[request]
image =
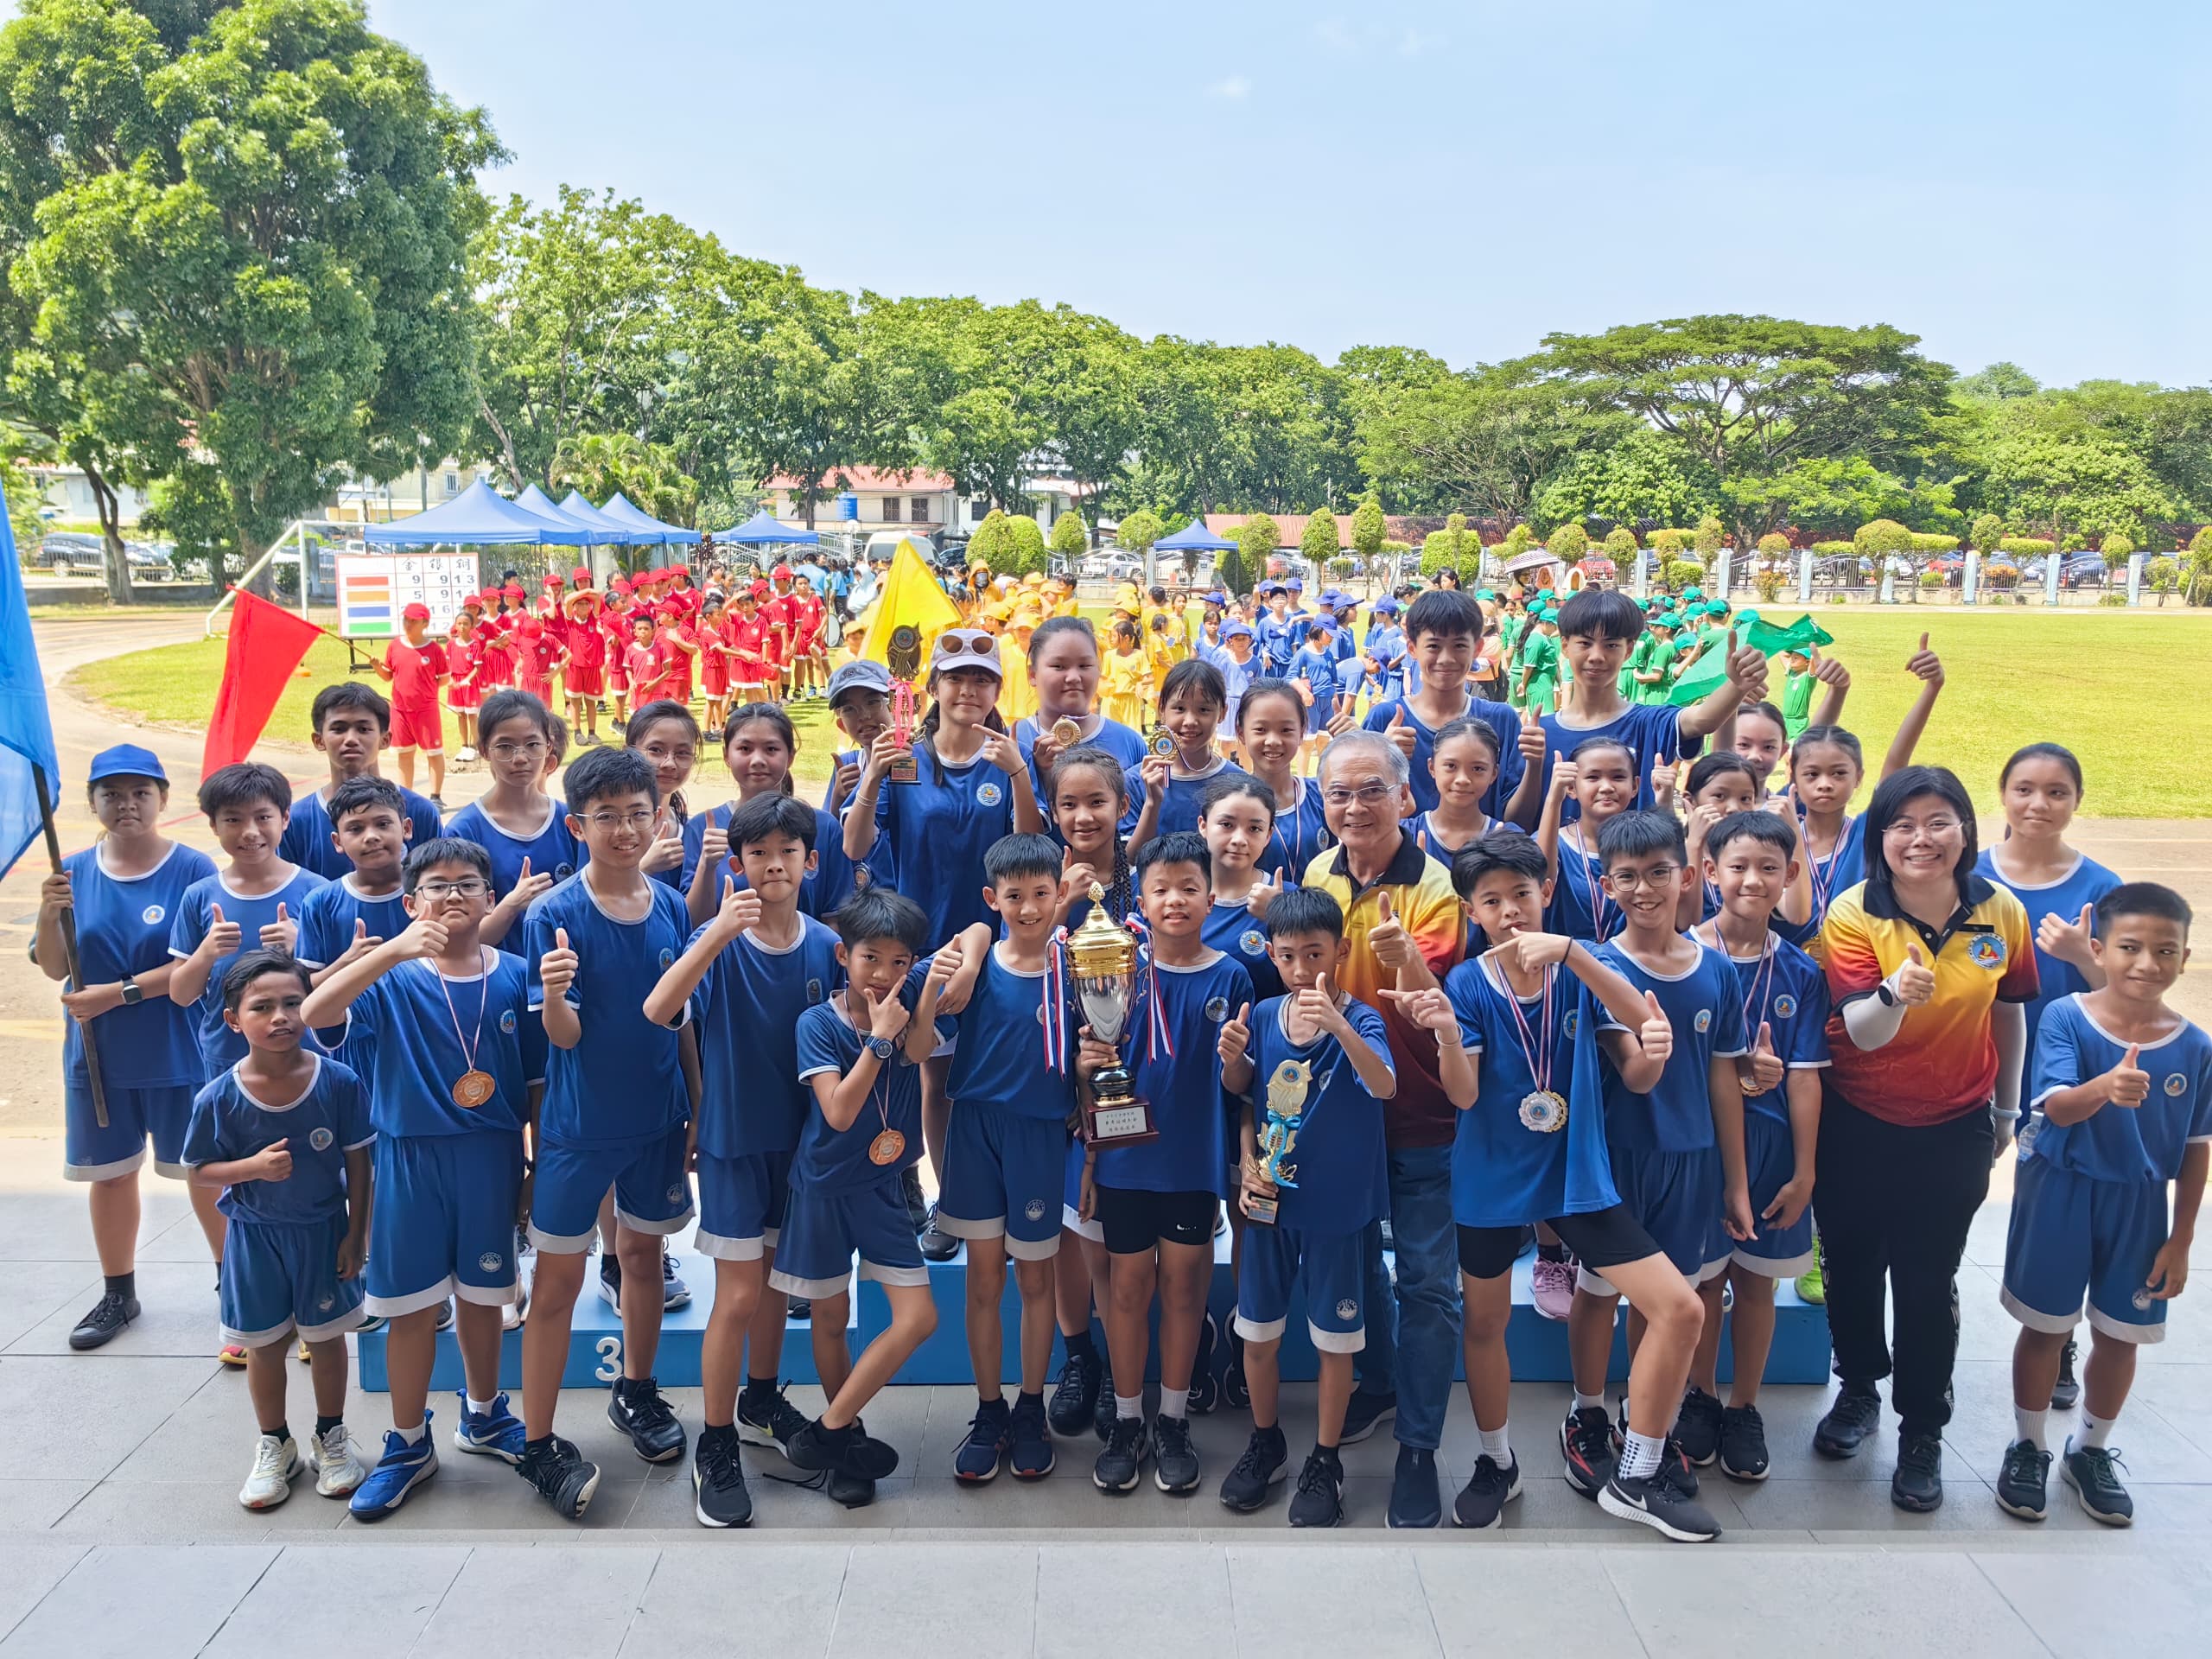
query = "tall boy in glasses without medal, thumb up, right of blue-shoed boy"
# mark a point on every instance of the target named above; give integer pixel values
(616, 1114)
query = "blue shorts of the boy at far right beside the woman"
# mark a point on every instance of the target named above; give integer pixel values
(2074, 1238)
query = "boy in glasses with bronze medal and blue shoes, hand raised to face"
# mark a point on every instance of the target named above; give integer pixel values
(439, 1025)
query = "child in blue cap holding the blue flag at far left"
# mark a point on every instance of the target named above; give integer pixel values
(125, 897)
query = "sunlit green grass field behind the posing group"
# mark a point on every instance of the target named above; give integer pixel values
(2131, 693)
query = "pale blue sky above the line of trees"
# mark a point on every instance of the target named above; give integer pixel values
(2016, 180)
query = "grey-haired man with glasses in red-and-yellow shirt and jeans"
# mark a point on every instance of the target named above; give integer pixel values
(1406, 930)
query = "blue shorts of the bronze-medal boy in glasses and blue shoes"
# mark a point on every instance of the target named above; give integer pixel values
(444, 1220)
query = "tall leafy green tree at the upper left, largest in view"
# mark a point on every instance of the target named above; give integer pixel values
(240, 249)
